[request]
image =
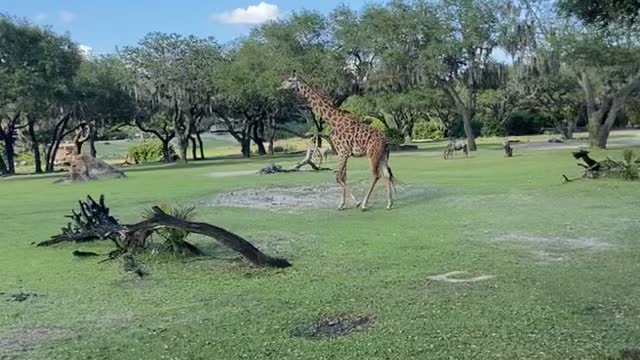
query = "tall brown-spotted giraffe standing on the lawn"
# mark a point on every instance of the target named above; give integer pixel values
(350, 137)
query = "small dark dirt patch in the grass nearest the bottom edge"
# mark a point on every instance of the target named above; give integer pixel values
(333, 327)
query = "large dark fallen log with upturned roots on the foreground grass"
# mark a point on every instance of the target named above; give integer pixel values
(94, 223)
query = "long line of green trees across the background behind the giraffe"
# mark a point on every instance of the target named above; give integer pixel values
(415, 68)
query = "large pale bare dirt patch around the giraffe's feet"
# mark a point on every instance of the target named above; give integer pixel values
(309, 196)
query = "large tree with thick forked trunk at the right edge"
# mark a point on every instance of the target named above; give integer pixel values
(602, 60)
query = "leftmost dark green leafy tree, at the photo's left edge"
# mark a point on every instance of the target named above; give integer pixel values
(36, 79)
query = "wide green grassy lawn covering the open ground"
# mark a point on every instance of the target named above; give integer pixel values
(565, 260)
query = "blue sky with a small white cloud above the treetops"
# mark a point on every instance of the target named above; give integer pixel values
(103, 25)
